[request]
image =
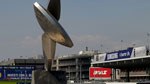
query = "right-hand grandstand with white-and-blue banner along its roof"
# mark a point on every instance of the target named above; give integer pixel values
(131, 64)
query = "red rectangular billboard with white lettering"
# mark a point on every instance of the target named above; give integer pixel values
(100, 73)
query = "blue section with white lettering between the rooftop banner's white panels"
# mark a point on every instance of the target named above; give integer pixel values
(122, 54)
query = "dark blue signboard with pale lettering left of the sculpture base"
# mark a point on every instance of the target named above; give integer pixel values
(16, 72)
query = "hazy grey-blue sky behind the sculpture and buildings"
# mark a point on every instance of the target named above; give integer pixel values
(89, 23)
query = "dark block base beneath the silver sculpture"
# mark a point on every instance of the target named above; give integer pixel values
(48, 77)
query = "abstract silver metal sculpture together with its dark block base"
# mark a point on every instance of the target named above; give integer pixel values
(53, 33)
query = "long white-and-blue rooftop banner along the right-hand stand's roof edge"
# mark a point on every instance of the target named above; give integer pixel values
(121, 54)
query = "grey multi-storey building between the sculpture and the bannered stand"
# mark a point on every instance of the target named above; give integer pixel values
(76, 65)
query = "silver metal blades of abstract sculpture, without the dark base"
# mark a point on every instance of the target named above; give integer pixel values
(53, 31)
